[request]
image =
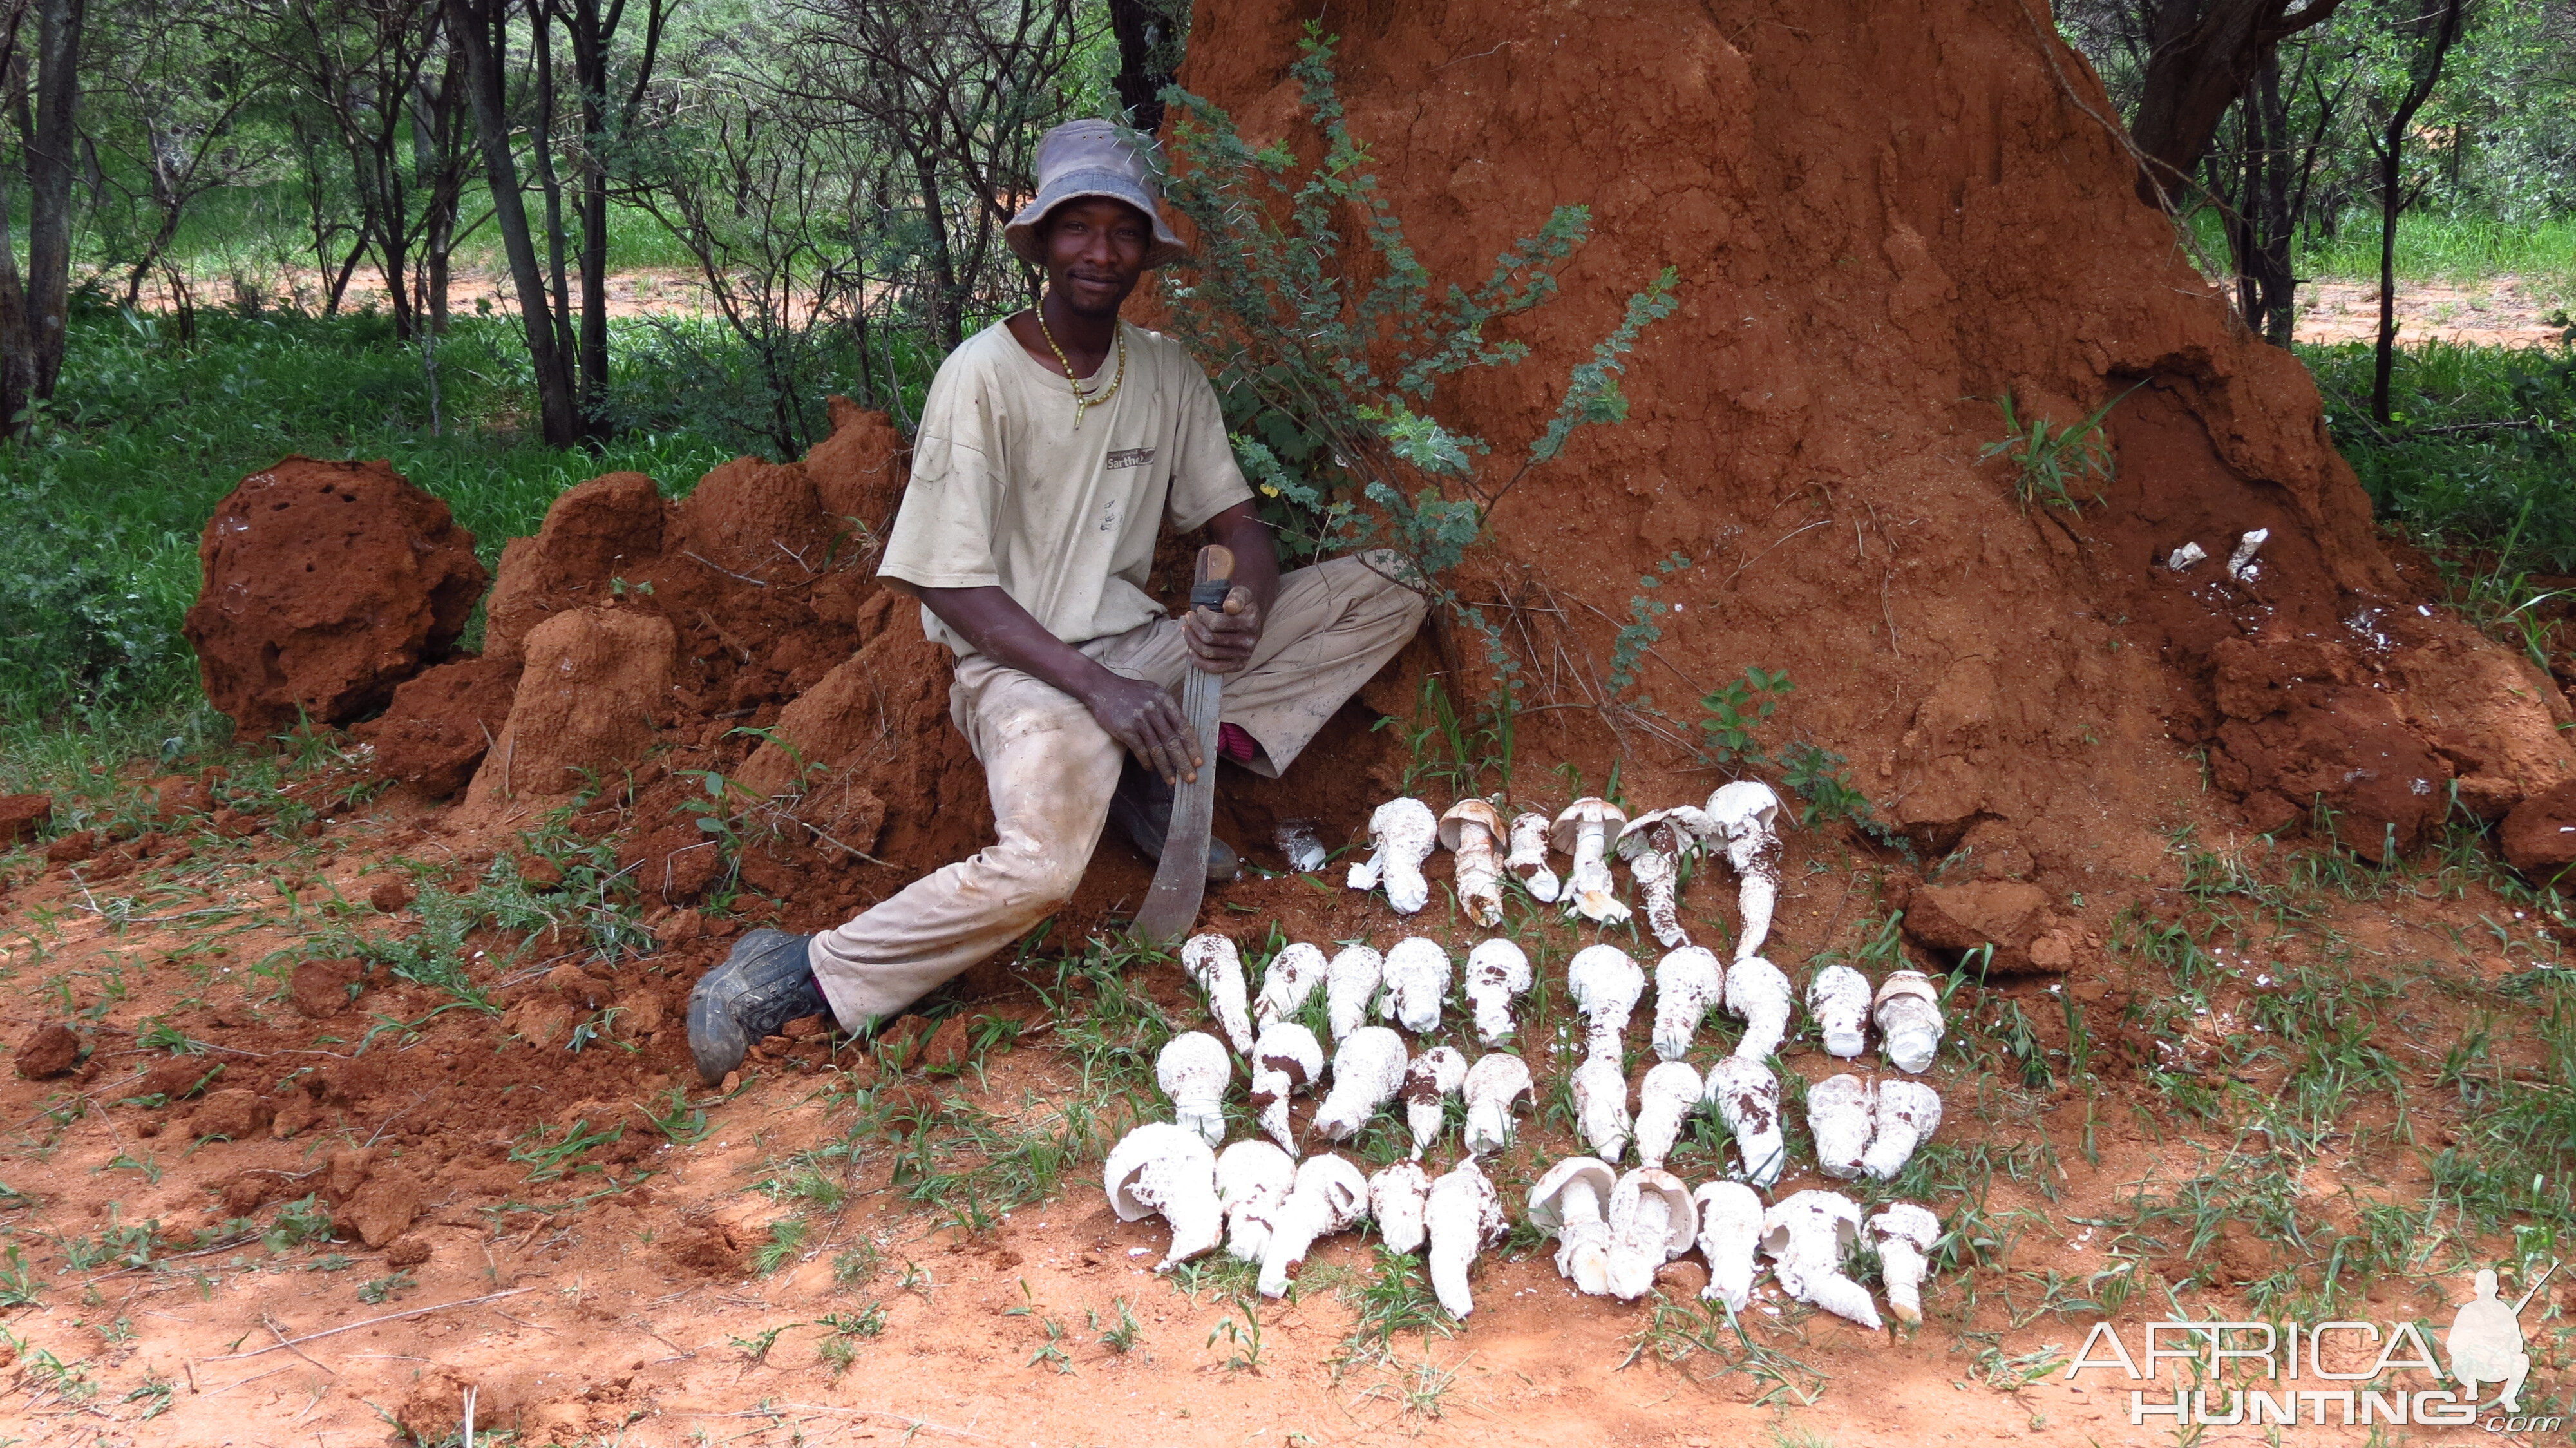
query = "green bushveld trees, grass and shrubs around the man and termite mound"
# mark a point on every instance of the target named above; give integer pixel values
(516, 243)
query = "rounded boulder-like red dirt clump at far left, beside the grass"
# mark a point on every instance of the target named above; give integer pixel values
(323, 589)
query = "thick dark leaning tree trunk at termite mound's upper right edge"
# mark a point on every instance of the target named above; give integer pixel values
(2201, 58)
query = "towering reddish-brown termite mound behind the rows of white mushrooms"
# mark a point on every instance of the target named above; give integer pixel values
(1887, 218)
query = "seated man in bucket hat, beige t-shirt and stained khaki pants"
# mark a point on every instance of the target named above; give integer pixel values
(1052, 450)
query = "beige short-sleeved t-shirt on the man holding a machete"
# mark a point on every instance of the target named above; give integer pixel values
(1006, 491)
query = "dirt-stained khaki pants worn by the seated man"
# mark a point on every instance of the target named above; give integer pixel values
(1052, 772)
